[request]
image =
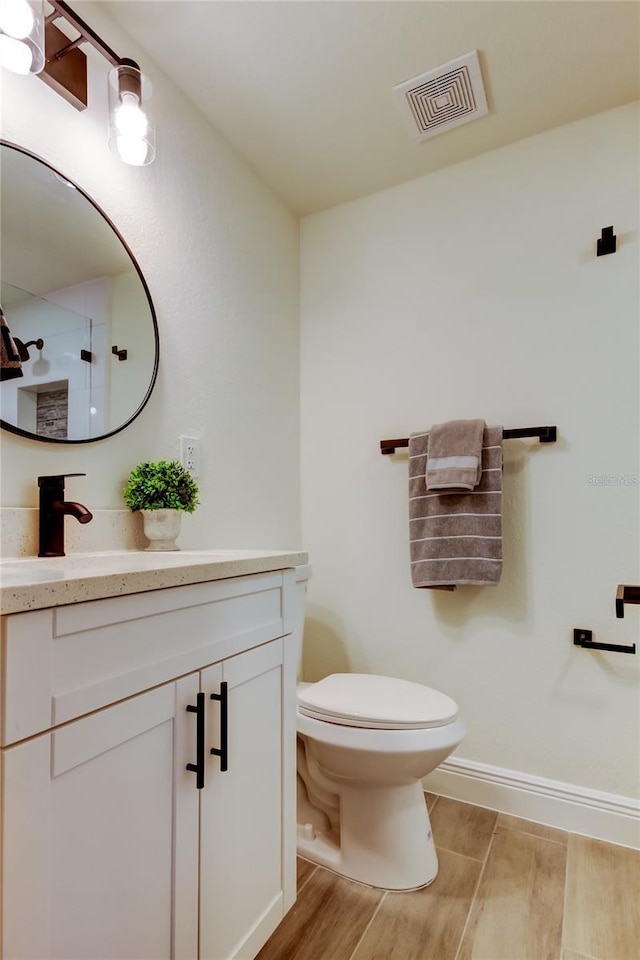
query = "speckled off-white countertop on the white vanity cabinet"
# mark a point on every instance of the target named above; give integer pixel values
(33, 583)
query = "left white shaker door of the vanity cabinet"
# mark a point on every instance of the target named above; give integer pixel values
(100, 834)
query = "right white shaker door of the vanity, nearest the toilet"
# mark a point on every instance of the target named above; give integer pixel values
(241, 813)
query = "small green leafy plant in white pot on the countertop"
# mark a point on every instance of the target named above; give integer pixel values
(161, 491)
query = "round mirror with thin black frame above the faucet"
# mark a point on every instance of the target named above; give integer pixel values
(80, 340)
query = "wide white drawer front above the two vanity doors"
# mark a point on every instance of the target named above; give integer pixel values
(64, 662)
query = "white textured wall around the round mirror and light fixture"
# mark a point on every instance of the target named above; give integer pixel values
(220, 255)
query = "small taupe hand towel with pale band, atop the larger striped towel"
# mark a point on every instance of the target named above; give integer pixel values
(455, 455)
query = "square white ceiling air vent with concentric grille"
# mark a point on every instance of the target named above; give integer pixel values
(443, 98)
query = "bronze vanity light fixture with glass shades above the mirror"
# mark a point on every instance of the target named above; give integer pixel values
(58, 61)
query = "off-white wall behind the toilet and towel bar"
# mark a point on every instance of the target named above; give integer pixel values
(475, 292)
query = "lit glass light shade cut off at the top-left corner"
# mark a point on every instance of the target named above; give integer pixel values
(22, 35)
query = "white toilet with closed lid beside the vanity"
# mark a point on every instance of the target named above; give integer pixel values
(364, 744)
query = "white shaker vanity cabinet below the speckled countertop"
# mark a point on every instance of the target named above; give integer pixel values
(111, 846)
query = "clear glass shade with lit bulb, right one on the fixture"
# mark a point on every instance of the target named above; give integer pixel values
(131, 132)
